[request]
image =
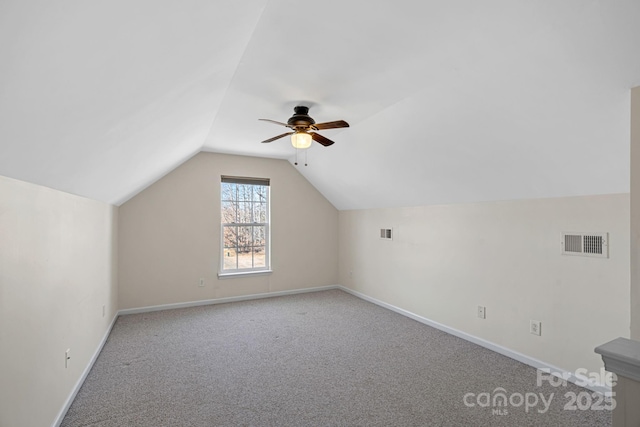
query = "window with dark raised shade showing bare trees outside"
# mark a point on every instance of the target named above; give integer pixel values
(245, 224)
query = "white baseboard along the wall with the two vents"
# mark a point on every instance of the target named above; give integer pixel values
(538, 364)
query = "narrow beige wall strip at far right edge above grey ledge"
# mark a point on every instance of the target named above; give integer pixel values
(635, 213)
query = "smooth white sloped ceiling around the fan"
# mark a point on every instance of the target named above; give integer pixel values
(448, 101)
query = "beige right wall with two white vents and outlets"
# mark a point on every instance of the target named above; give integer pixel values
(444, 261)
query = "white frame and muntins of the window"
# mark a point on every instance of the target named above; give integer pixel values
(227, 273)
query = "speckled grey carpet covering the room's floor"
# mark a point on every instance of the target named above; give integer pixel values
(317, 359)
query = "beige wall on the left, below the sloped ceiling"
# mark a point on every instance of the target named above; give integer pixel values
(57, 270)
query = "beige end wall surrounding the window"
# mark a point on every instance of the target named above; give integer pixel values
(169, 234)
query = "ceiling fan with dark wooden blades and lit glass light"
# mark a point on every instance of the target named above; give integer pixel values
(303, 128)
